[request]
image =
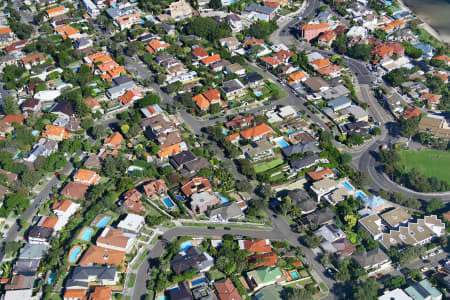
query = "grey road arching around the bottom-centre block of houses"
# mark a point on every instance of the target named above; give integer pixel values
(280, 231)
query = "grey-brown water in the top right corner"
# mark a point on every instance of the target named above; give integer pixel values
(434, 12)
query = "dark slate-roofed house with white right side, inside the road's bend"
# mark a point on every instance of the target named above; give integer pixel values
(192, 258)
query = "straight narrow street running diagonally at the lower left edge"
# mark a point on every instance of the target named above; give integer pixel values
(30, 212)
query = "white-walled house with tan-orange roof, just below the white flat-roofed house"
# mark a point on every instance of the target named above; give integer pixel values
(116, 239)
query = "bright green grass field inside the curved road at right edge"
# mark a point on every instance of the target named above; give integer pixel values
(428, 162)
